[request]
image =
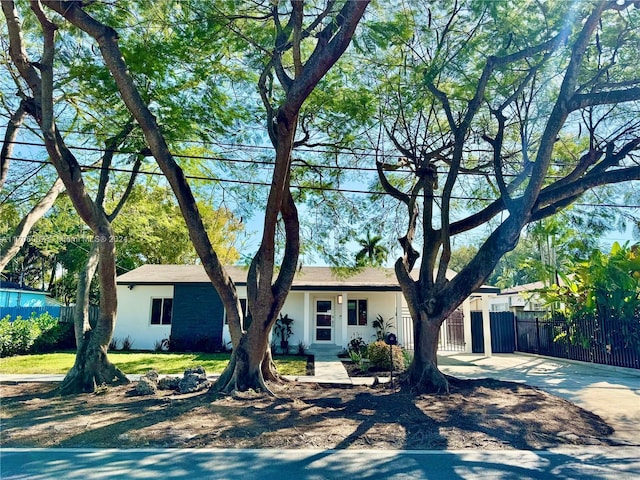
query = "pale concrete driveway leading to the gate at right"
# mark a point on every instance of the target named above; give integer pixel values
(610, 392)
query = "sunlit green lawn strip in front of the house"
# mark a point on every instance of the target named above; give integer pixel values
(140, 362)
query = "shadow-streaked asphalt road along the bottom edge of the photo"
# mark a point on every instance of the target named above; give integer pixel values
(619, 463)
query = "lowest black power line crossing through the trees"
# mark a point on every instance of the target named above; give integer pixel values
(299, 187)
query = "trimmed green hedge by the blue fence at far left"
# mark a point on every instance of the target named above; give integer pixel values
(38, 333)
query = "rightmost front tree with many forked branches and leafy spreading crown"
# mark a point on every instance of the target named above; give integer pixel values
(547, 108)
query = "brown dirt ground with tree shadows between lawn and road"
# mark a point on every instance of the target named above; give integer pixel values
(484, 414)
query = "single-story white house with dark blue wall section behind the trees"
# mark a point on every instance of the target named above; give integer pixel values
(156, 302)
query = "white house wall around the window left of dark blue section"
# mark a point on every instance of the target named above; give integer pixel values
(134, 315)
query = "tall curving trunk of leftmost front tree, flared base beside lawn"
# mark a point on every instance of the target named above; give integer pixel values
(91, 367)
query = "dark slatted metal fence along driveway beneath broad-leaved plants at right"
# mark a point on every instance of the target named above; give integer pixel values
(604, 341)
